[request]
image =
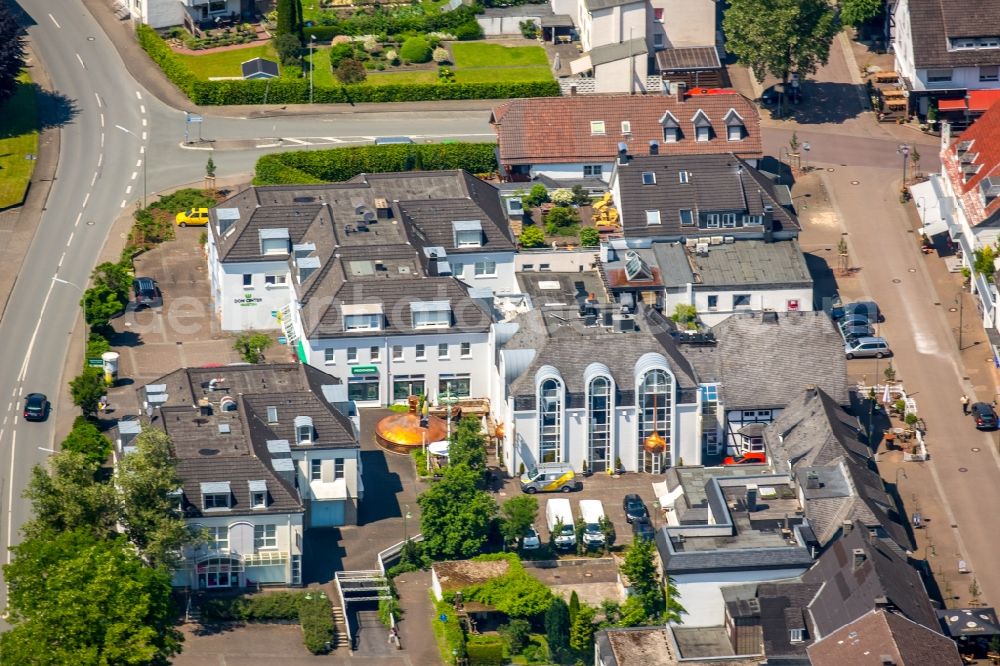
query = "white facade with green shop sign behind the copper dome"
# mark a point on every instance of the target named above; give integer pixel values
(476, 364)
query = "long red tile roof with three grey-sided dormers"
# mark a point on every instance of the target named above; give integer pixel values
(546, 130)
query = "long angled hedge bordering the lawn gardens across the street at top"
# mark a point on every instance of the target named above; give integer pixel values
(296, 91)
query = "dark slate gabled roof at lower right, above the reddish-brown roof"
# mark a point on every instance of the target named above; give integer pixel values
(847, 594)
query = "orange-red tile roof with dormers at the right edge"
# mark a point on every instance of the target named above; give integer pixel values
(984, 139)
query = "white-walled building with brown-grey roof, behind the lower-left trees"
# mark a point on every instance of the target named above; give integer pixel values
(264, 452)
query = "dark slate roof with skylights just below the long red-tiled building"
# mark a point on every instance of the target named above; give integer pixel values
(715, 183)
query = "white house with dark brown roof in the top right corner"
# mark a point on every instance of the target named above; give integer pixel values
(943, 50)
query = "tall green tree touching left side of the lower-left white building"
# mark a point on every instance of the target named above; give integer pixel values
(147, 484)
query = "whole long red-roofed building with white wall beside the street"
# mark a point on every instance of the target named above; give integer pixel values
(579, 138)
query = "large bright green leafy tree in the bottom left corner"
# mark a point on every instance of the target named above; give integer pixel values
(76, 599)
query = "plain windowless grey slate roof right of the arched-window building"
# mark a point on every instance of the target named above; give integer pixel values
(765, 362)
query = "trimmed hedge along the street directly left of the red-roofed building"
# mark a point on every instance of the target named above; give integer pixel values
(338, 164)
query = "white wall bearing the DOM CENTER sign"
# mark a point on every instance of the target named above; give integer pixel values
(244, 308)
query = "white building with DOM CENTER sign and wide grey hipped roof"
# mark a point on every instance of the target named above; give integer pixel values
(263, 239)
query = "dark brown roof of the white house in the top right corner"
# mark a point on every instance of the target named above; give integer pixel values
(934, 22)
